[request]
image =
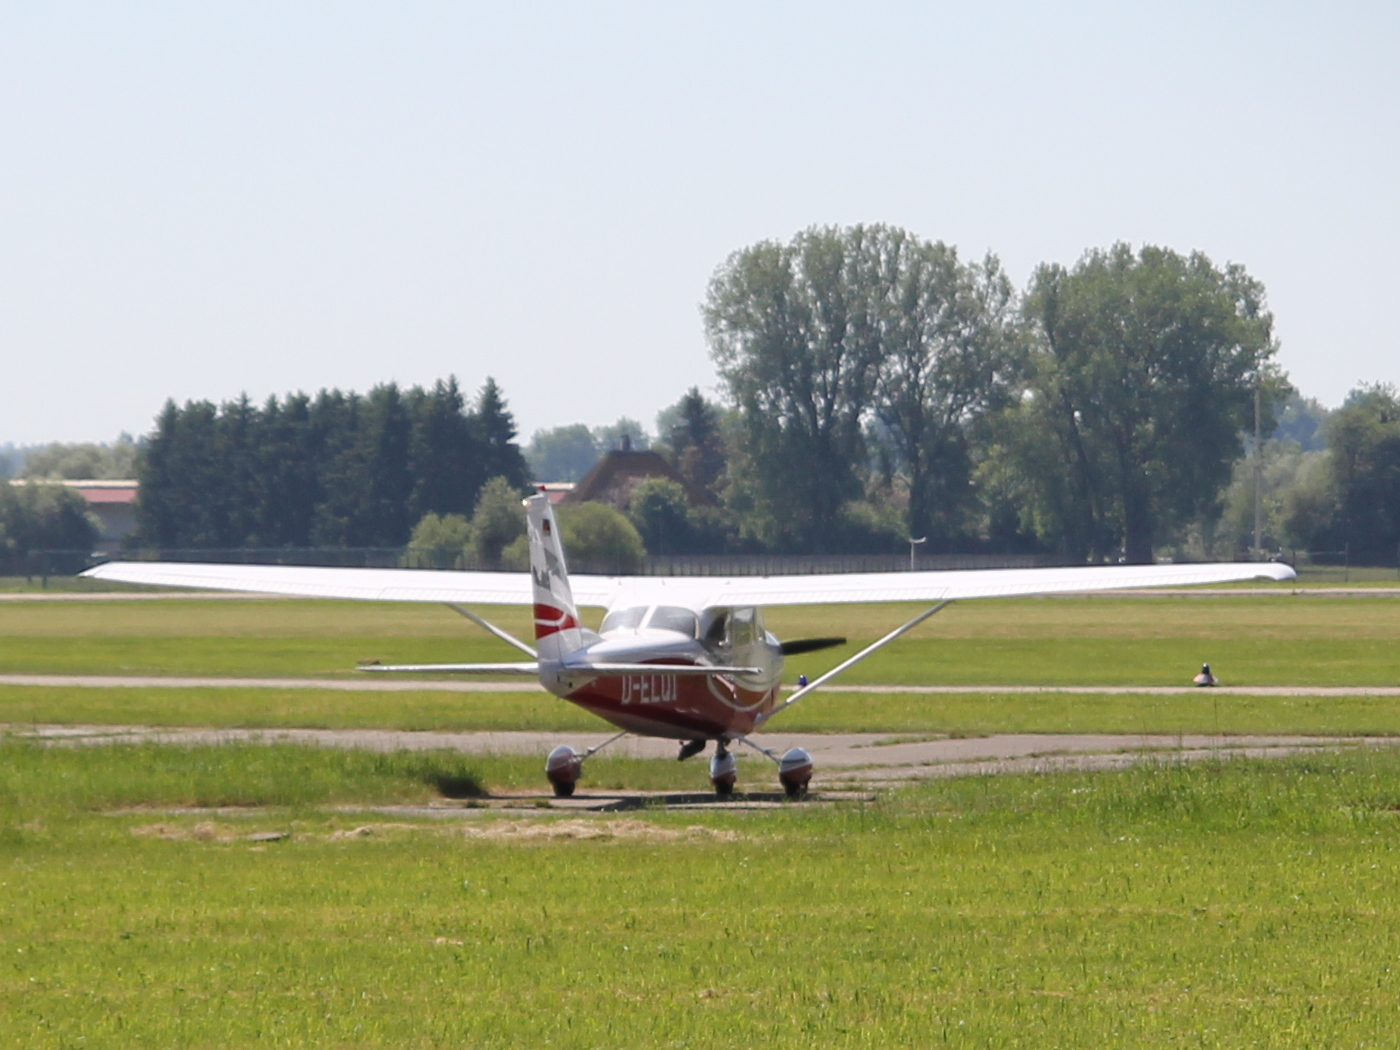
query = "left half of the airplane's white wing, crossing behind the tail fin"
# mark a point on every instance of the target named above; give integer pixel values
(356, 584)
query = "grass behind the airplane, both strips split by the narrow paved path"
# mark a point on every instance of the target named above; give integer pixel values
(1329, 642)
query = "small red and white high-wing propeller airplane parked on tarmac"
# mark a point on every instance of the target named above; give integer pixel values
(677, 657)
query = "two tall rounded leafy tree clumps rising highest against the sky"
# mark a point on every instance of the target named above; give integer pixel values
(1091, 415)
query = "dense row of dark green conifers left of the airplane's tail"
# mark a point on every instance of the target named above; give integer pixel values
(338, 470)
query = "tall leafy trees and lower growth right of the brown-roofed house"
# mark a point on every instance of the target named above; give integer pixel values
(880, 390)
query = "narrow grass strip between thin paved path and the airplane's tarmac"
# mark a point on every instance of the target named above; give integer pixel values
(1203, 712)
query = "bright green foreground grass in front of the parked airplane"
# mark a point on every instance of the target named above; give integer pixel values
(1221, 905)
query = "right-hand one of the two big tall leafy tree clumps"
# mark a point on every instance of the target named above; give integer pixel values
(1143, 380)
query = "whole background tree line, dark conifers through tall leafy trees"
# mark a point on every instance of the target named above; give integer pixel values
(876, 388)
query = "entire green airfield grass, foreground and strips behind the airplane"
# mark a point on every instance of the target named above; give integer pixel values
(1238, 904)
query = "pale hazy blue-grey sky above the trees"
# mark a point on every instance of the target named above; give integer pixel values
(201, 199)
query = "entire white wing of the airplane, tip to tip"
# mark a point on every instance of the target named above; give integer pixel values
(514, 589)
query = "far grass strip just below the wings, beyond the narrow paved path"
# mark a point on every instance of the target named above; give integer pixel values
(1262, 640)
